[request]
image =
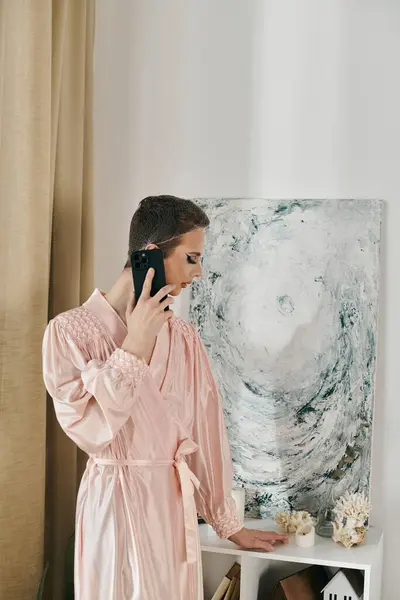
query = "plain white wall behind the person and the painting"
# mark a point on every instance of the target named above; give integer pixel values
(281, 99)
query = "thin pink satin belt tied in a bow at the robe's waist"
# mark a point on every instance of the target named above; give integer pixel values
(188, 482)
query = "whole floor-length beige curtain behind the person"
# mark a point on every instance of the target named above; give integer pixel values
(46, 52)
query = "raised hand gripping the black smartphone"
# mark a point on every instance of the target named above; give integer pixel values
(145, 319)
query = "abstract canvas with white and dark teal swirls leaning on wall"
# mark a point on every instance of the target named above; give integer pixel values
(287, 309)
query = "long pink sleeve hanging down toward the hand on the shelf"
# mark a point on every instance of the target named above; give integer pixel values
(212, 464)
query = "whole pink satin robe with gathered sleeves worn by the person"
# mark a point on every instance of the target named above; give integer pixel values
(158, 453)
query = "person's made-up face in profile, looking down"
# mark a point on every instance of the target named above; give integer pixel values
(183, 264)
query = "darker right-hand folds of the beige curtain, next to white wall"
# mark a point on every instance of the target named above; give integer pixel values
(72, 243)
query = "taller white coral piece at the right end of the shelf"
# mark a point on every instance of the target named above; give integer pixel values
(352, 513)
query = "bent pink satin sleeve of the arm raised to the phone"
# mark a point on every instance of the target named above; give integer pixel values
(94, 399)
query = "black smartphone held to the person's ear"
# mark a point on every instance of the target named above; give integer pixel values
(142, 261)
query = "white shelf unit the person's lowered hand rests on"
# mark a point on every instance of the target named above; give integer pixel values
(260, 571)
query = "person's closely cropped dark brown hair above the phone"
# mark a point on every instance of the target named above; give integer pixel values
(162, 220)
